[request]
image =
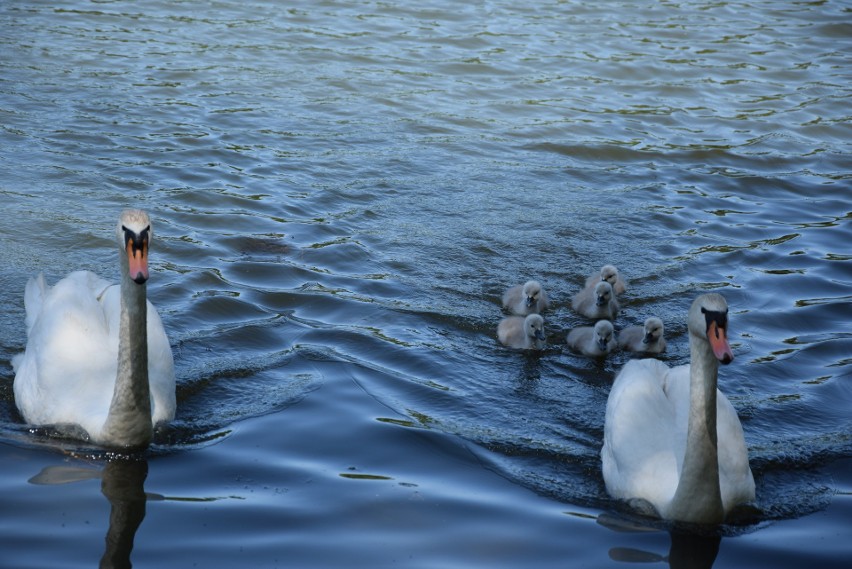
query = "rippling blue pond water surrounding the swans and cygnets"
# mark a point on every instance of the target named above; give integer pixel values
(341, 191)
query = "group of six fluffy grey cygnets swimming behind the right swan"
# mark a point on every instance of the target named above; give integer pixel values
(596, 301)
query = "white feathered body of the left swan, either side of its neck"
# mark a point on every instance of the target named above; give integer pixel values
(68, 371)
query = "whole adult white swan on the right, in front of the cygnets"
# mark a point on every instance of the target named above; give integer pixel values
(671, 439)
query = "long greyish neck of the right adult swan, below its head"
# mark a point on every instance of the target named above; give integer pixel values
(698, 497)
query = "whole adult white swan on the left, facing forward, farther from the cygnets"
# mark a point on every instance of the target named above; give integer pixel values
(97, 356)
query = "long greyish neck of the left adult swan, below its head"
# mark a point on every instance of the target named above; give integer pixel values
(129, 421)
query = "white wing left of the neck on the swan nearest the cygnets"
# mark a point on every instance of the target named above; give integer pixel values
(638, 455)
